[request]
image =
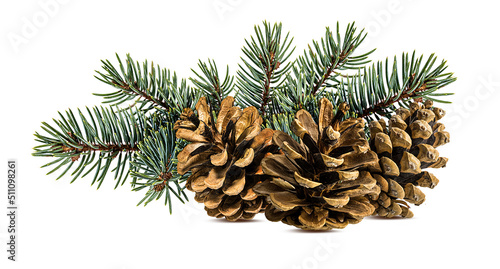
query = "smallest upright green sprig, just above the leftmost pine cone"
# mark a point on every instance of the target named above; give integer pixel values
(211, 84)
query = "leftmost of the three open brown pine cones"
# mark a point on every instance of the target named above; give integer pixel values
(224, 157)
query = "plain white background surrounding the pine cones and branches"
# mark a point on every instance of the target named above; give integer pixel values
(64, 225)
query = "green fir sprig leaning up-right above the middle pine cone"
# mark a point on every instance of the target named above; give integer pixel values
(320, 70)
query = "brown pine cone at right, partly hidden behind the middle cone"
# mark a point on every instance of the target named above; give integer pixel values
(406, 147)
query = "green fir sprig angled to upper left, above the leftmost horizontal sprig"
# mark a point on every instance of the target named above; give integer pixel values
(151, 87)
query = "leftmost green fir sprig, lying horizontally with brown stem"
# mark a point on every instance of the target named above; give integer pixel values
(93, 143)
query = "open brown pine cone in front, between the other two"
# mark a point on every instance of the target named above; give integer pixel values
(317, 185)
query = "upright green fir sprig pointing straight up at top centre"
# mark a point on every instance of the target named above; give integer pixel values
(264, 68)
